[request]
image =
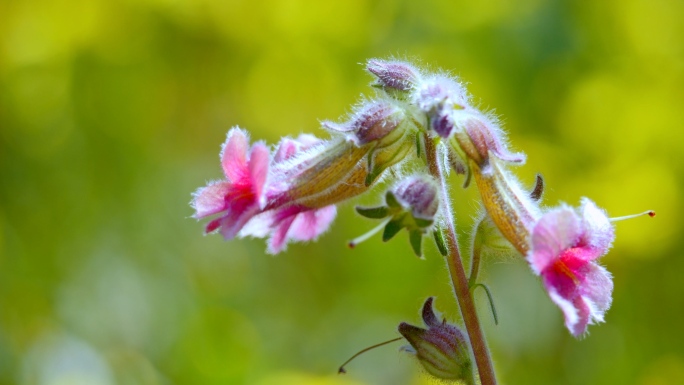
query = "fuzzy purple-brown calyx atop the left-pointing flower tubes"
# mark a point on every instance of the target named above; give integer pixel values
(372, 122)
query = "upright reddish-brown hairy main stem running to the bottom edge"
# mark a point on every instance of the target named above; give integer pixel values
(457, 272)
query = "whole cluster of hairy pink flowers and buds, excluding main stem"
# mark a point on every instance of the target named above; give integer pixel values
(289, 193)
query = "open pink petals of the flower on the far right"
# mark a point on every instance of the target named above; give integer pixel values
(565, 244)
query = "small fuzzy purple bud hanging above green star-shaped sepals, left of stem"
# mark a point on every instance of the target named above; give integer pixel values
(419, 194)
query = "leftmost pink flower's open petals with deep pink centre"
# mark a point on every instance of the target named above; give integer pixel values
(240, 197)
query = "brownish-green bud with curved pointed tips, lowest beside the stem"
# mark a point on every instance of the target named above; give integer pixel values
(442, 348)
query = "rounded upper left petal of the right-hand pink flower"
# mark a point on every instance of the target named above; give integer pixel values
(556, 231)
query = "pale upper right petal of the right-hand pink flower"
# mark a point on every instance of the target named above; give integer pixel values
(597, 231)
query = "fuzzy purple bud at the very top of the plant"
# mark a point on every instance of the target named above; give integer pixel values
(393, 76)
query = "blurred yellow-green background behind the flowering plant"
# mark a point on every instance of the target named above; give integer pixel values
(113, 112)
